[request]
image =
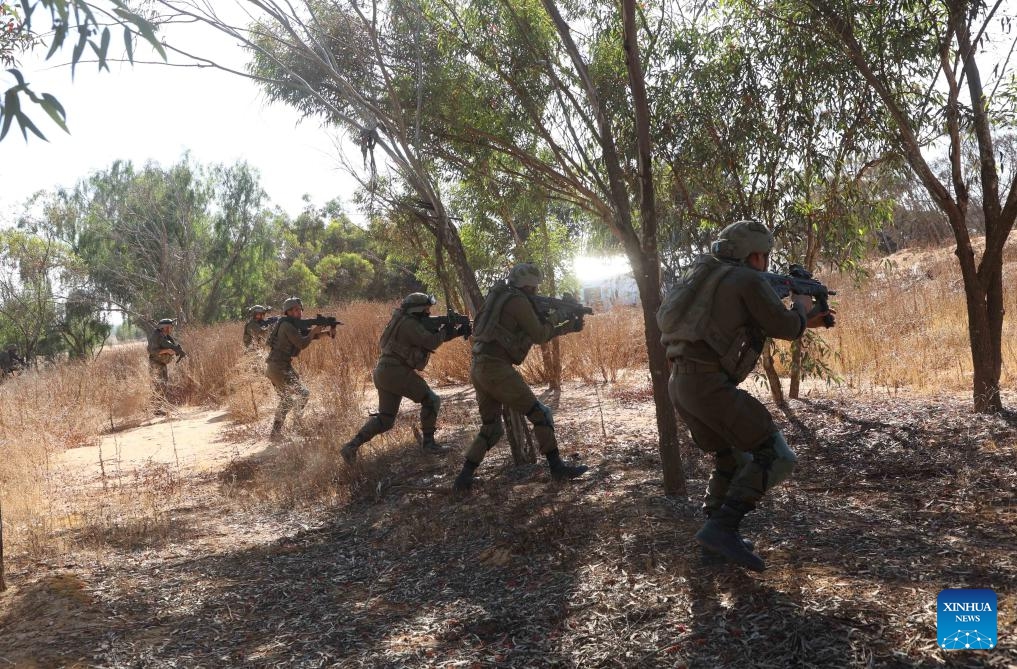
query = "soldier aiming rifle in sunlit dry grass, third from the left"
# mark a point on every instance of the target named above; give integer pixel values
(286, 342)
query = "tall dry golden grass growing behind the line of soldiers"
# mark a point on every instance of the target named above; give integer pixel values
(906, 328)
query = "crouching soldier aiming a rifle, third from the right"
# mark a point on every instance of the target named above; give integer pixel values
(406, 347)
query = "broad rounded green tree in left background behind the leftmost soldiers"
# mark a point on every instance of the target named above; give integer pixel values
(186, 241)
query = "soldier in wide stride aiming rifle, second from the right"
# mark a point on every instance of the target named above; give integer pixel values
(507, 328)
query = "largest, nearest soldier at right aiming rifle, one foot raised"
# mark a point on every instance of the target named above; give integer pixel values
(715, 322)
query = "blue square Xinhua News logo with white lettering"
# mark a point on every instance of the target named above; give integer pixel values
(966, 620)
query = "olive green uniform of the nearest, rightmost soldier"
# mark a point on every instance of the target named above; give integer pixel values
(741, 311)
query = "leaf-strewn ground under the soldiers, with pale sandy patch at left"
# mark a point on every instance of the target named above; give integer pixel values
(895, 499)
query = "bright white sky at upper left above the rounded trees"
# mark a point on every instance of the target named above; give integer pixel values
(156, 112)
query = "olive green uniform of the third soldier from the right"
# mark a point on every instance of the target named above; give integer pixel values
(406, 347)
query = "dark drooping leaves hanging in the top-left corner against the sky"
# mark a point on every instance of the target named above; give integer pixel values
(89, 27)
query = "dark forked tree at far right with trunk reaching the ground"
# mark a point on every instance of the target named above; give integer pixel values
(942, 72)
